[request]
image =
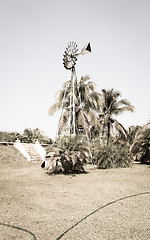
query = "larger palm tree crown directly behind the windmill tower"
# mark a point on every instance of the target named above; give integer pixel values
(86, 101)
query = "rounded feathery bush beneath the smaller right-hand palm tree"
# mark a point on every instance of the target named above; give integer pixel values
(113, 156)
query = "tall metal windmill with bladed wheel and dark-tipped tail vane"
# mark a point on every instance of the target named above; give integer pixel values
(70, 58)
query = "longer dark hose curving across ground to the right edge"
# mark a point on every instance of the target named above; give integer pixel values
(117, 200)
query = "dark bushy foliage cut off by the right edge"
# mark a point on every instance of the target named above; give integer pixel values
(141, 145)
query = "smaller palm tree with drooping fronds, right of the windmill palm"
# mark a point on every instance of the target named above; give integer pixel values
(112, 107)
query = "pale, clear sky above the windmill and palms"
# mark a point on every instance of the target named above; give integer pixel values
(33, 37)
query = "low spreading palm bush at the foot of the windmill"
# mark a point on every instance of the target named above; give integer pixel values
(67, 155)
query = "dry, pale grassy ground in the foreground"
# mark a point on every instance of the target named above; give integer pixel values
(101, 204)
